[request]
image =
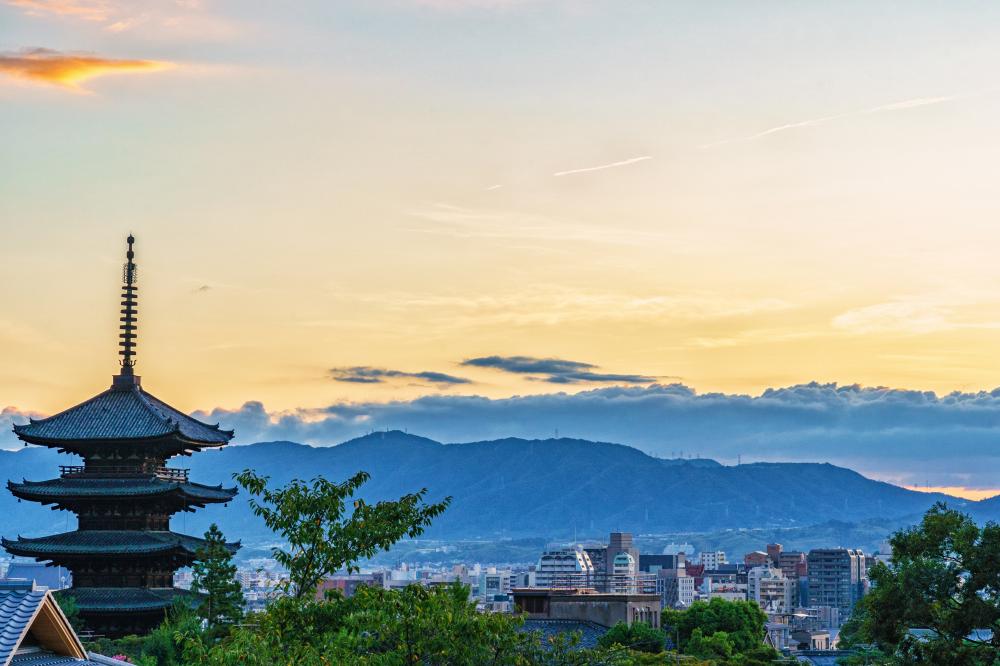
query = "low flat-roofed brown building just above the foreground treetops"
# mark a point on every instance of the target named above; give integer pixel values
(587, 605)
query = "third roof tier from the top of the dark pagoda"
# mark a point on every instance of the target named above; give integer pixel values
(106, 542)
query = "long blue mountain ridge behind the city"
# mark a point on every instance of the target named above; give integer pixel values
(551, 488)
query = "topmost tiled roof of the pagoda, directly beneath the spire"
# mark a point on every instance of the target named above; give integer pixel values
(121, 413)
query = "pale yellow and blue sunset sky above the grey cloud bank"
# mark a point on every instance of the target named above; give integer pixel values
(376, 200)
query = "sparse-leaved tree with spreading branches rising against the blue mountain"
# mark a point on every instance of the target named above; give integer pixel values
(322, 536)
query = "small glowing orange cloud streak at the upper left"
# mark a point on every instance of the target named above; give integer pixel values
(67, 69)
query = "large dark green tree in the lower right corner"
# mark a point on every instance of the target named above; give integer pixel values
(944, 577)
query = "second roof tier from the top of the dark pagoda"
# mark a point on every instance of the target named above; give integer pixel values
(57, 489)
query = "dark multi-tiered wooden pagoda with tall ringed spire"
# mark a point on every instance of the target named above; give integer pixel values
(123, 555)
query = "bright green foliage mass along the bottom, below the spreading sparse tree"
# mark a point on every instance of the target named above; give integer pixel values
(435, 626)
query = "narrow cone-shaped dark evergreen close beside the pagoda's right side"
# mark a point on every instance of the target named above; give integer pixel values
(214, 577)
